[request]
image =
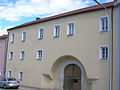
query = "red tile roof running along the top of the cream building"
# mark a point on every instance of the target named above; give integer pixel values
(96, 7)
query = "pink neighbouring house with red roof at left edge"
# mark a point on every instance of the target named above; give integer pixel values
(3, 50)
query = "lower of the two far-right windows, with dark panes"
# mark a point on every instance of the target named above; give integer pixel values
(104, 52)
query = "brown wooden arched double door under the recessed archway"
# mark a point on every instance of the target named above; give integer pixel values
(72, 77)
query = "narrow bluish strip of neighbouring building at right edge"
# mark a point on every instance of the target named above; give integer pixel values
(117, 45)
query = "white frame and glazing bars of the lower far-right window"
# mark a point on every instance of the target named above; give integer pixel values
(101, 53)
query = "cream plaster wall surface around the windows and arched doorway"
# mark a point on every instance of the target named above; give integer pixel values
(83, 45)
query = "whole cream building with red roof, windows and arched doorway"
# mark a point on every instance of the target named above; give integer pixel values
(70, 51)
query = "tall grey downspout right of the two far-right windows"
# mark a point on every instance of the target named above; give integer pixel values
(111, 51)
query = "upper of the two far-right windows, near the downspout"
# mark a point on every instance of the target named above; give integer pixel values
(104, 24)
